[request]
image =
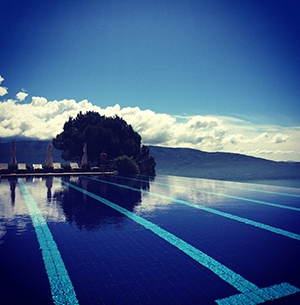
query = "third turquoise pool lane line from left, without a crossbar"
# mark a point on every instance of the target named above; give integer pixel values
(196, 206)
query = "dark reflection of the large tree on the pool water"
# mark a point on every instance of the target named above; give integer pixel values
(90, 214)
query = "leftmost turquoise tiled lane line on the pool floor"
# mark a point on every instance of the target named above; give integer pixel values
(62, 289)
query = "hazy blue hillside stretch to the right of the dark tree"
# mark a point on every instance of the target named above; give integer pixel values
(222, 166)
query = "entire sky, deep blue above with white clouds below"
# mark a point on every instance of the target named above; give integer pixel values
(211, 75)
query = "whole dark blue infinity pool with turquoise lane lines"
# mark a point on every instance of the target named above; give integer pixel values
(140, 240)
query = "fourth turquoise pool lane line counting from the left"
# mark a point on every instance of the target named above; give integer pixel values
(223, 195)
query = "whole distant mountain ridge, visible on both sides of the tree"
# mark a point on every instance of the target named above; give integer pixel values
(176, 161)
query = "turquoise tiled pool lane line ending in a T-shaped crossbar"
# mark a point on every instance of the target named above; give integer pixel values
(250, 293)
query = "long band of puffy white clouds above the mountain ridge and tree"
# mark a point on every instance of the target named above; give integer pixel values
(43, 119)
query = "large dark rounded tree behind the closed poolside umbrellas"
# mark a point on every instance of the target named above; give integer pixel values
(110, 134)
